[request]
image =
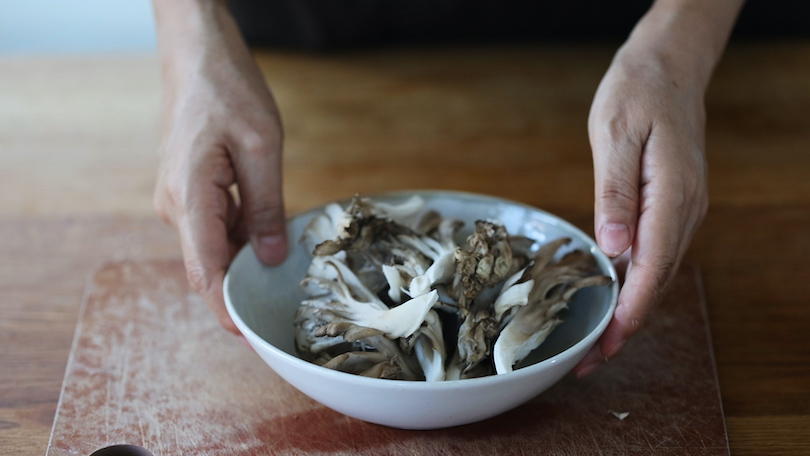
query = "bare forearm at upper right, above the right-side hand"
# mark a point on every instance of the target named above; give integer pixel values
(688, 36)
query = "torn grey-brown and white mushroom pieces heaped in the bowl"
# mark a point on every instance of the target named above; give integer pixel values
(391, 294)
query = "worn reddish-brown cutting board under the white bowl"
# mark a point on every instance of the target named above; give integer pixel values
(150, 366)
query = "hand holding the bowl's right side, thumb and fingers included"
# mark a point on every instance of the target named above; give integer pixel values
(646, 128)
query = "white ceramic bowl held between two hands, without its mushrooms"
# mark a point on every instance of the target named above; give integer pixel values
(262, 300)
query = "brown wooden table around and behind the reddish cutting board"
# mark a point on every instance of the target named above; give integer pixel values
(77, 141)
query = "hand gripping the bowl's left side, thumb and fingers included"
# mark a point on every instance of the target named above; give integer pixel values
(220, 127)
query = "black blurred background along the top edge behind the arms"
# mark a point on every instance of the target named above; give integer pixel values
(336, 24)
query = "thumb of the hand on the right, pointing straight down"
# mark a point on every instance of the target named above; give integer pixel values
(616, 148)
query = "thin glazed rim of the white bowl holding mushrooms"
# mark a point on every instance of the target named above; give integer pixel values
(516, 374)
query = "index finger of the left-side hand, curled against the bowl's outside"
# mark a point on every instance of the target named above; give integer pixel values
(205, 246)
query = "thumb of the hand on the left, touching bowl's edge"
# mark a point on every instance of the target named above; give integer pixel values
(258, 172)
